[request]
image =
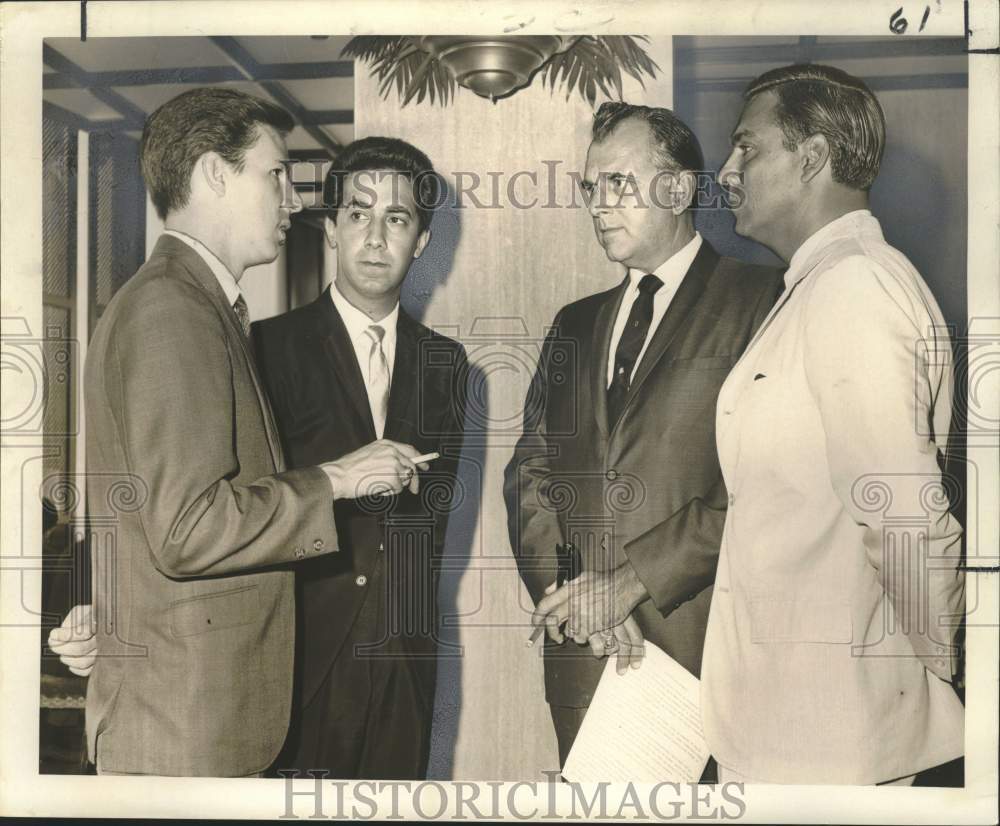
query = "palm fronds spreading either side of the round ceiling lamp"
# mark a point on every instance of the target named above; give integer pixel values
(587, 64)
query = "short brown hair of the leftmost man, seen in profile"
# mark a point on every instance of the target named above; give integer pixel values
(186, 127)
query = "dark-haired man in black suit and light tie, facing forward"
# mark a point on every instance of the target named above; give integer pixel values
(342, 372)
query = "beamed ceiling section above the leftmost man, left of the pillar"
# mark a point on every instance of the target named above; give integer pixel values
(114, 83)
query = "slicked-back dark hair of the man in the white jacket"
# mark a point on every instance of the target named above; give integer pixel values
(822, 100)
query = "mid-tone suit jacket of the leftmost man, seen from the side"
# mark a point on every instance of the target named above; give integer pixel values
(193, 596)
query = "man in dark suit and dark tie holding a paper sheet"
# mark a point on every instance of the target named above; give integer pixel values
(617, 462)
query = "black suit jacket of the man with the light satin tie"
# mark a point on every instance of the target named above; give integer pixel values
(313, 378)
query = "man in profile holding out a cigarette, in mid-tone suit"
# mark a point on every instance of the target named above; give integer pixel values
(194, 599)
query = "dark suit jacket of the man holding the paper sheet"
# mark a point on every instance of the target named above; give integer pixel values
(648, 489)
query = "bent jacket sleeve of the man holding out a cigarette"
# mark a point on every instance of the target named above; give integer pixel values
(171, 390)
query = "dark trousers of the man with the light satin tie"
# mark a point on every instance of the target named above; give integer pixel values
(371, 716)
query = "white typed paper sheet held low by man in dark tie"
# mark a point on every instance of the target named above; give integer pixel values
(643, 726)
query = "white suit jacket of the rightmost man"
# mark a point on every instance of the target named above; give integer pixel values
(831, 637)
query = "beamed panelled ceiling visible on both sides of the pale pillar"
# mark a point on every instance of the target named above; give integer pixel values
(114, 83)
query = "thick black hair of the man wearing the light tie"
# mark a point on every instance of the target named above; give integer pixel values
(377, 154)
